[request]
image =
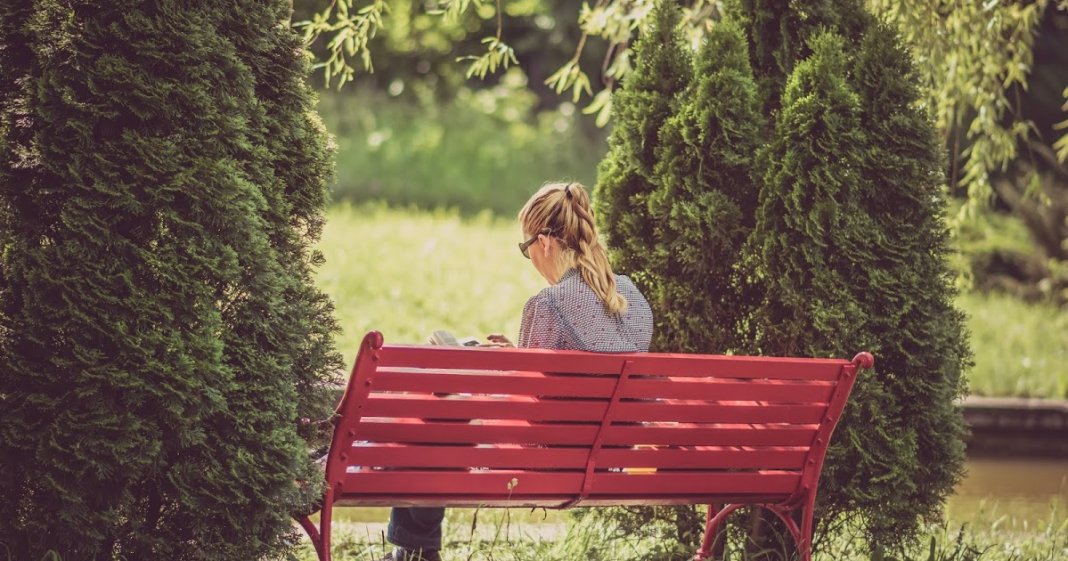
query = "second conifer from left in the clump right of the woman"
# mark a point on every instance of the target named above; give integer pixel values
(704, 204)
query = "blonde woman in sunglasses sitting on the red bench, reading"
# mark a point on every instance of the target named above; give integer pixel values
(586, 307)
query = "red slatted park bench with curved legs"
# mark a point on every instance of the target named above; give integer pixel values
(457, 427)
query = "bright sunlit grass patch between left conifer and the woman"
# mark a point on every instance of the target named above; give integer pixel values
(407, 274)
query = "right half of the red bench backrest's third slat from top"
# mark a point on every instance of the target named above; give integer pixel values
(705, 413)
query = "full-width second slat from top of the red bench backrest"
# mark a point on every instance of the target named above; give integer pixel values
(599, 386)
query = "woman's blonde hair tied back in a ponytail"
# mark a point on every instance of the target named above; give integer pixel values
(563, 210)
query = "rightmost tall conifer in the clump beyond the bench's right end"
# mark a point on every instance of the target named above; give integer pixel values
(905, 286)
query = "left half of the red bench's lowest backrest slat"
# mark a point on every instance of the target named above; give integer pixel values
(463, 484)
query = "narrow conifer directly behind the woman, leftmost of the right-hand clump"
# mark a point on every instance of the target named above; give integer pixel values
(626, 177)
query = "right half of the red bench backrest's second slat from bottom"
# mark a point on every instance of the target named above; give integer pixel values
(704, 458)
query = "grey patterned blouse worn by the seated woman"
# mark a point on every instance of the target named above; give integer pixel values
(569, 316)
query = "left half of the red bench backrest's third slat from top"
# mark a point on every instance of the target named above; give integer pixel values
(482, 408)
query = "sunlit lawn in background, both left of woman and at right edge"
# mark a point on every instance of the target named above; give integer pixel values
(407, 274)
